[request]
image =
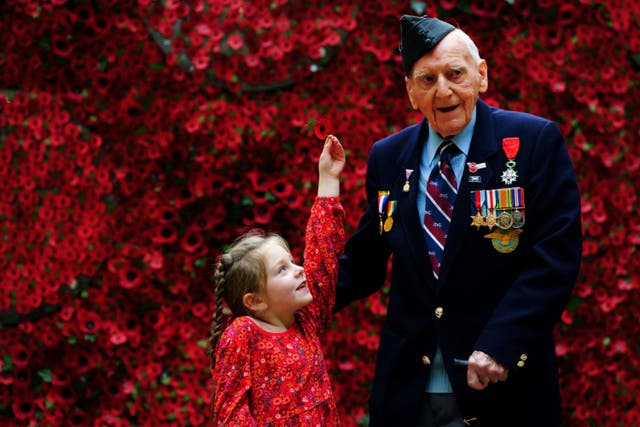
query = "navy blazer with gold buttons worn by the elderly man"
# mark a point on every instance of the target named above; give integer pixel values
(505, 304)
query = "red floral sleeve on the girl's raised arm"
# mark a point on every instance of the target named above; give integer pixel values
(324, 244)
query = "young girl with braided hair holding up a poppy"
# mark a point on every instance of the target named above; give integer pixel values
(268, 367)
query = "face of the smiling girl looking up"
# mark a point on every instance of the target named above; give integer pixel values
(286, 289)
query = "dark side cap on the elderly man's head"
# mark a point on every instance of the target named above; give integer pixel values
(420, 34)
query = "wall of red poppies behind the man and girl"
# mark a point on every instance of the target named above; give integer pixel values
(138, 137)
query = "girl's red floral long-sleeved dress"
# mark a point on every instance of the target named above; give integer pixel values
(280, 379)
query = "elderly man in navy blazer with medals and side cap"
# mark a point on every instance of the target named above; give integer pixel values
(478, 209)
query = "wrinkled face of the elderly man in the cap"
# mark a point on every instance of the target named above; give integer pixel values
(445, 83)
